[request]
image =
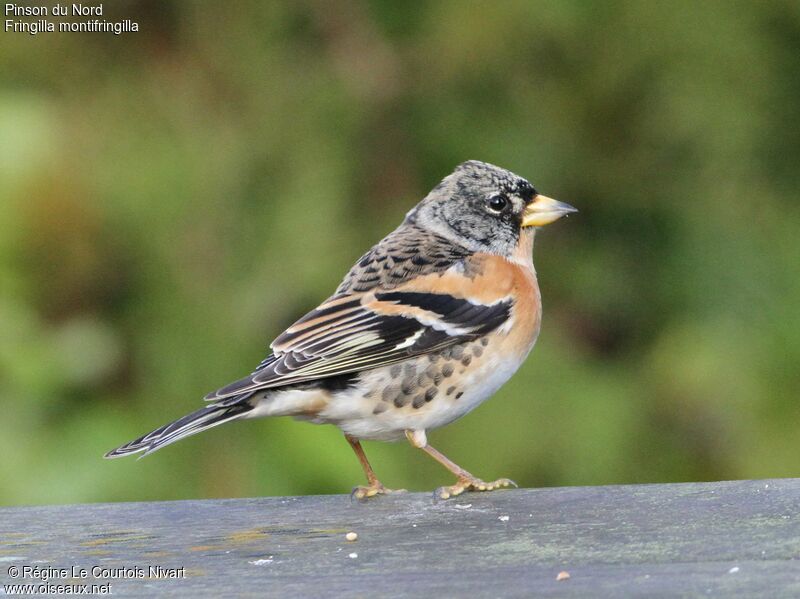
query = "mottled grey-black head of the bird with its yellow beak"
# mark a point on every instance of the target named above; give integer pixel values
(485, 208)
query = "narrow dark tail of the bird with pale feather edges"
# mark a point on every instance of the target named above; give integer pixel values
(202, 419)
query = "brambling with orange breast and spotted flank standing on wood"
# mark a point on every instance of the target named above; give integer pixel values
(426, 326)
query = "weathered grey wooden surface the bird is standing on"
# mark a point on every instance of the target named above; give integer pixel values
(714, 539)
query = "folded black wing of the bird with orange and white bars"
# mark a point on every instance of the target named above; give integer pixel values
(356, 331)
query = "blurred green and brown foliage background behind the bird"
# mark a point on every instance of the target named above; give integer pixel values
(173, 198)
